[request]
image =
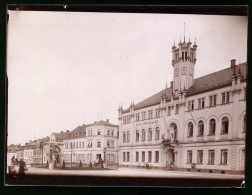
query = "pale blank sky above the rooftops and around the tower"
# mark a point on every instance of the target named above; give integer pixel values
(66, 69)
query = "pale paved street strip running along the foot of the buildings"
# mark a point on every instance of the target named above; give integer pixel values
(126, 172)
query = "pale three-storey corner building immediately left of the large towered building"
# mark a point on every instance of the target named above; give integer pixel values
(89, 143)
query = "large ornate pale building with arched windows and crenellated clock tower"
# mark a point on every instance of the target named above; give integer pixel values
(194, 125)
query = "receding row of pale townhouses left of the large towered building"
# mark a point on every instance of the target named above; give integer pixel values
(86, 143)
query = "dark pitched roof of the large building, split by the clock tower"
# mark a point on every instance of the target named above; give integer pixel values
(202, 84)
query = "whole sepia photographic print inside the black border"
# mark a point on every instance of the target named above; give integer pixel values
(126, 99)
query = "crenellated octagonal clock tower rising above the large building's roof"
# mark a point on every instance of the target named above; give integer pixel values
(183, 61)
